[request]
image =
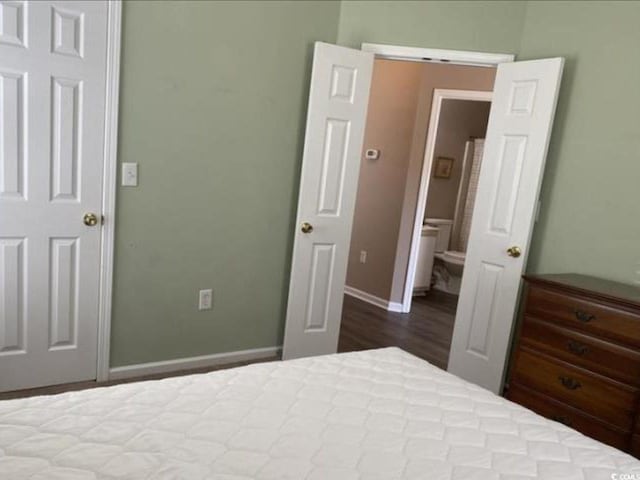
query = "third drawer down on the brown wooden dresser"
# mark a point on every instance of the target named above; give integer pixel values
(606, 399)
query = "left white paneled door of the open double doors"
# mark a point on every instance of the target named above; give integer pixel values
(338, 101)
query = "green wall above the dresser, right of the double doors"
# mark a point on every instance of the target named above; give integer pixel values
(589, 221)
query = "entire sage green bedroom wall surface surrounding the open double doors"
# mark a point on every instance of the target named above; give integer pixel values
(213, 100)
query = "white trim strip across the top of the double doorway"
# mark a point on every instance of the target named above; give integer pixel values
(437, 55)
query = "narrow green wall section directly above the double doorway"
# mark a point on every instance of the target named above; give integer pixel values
(494, 26)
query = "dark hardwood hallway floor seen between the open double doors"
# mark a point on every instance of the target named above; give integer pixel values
(425, 331)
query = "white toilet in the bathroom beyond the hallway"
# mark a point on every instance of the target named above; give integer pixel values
(451, 260)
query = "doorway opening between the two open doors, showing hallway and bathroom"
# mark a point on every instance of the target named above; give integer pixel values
(419, 174)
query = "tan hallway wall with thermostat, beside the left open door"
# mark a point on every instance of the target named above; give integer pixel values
(393, 101)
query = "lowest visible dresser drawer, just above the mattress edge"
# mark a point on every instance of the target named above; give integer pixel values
(558, 411)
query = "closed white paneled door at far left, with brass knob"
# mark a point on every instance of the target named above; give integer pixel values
(52, 107)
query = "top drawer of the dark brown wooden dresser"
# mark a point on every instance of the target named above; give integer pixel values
(582, 314)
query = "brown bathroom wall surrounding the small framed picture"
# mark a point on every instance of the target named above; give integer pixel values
(459, 120)
